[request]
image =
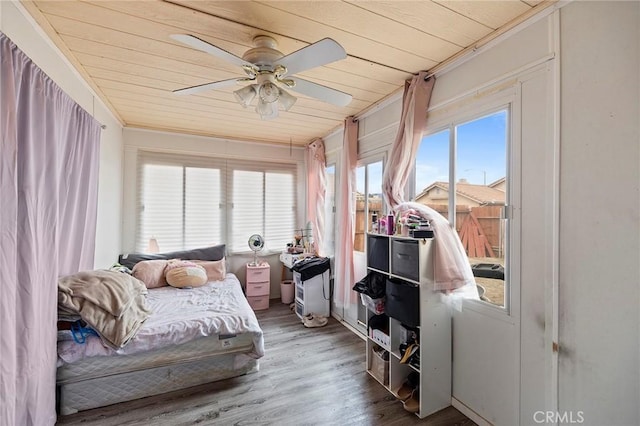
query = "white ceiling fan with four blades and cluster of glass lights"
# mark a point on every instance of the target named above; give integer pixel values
(269, 72)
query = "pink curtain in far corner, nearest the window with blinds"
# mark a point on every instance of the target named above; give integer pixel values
(316, 190)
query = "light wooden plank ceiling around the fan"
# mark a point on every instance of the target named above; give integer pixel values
(124, 51)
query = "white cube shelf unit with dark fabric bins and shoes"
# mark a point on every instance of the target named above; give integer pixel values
(412, 308)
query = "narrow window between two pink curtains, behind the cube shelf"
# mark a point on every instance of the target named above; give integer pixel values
(368, 199)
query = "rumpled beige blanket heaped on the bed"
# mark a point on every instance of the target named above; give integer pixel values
(112, 303)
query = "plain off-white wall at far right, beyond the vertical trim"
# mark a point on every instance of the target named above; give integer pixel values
(599, 296)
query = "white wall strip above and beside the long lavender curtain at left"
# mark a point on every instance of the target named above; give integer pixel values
(18, 25)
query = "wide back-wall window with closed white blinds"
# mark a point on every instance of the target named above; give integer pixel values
(188, 202)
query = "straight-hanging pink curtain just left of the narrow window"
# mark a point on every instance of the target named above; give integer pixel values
(345, 216)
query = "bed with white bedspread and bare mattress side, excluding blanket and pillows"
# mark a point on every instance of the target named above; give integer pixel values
(193, 336)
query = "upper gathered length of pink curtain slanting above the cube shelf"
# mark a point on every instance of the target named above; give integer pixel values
(415, 101)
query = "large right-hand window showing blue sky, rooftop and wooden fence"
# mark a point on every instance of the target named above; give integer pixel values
(474, 196)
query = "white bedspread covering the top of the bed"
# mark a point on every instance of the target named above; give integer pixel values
(180, 315)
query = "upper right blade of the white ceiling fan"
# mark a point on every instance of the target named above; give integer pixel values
(317, 54)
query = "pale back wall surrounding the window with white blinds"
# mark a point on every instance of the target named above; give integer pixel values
(137, 139)
